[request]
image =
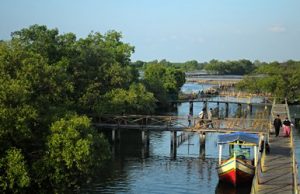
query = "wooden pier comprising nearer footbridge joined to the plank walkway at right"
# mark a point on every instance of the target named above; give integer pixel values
(276, 172)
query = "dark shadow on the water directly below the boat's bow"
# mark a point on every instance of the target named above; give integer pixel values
(224, 188)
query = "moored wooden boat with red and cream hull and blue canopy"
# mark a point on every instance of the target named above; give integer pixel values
(239, 167)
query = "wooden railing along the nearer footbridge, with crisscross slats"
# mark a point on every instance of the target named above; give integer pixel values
(169, 122)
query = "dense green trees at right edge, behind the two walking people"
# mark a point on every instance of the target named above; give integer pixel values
(282, 80)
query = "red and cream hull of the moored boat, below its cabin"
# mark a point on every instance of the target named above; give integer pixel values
(236, 171)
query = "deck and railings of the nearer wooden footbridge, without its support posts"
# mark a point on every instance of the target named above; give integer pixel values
(180, 123)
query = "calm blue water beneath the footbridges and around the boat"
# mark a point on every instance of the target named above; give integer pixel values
(136, 169)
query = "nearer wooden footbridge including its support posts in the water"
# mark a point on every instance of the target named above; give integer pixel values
(178, 126)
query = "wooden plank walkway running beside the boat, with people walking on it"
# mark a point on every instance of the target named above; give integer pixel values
(276, 168)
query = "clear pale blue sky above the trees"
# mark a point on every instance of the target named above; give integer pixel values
(175, 30)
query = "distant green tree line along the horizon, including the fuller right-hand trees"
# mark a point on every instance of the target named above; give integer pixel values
(281, 80)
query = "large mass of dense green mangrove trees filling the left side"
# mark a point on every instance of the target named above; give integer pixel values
(48, 83)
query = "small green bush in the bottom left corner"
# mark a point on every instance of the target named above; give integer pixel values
(14, 176)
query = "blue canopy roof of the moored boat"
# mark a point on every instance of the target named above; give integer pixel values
(238, 136)
